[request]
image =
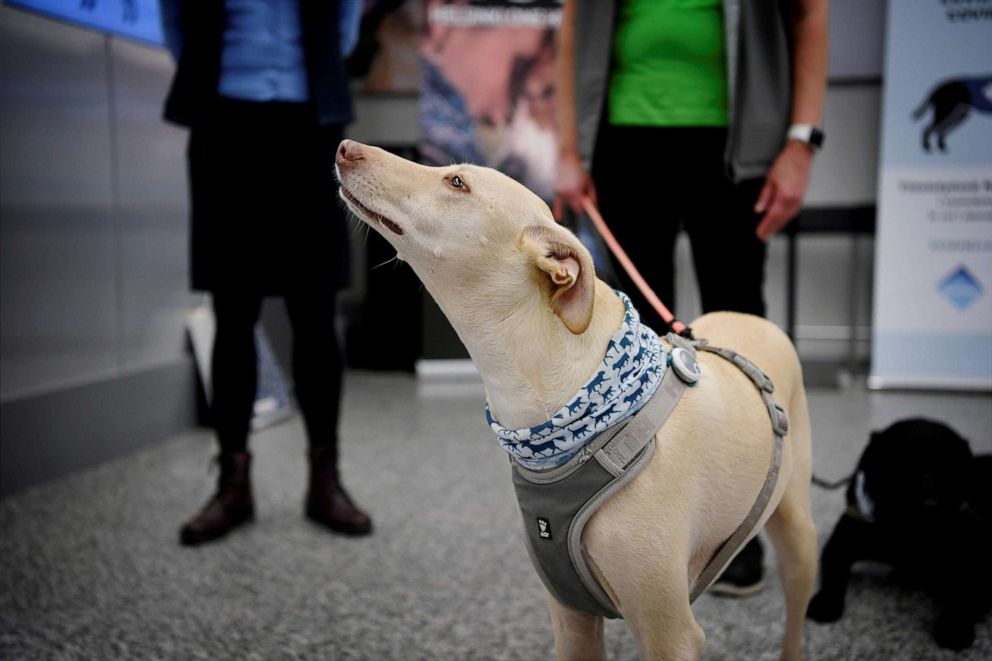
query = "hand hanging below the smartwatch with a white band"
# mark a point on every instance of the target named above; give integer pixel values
(785, 185)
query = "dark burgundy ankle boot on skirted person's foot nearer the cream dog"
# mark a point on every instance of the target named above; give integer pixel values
(327, 502)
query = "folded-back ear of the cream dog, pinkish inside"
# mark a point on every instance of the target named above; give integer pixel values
(568, 268)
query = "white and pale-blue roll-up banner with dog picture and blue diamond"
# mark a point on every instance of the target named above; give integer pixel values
(932, 326)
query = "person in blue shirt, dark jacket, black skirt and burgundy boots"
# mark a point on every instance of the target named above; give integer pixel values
(262, 87)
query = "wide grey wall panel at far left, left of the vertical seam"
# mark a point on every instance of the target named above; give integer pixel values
(58, 313)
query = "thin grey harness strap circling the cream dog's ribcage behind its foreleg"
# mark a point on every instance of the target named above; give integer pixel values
(780, 426)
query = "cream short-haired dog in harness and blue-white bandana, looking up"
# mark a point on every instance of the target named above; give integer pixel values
(521, 293)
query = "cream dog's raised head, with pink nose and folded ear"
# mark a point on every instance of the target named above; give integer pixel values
(466, 230)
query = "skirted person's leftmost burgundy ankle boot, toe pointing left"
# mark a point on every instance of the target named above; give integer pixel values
(230, 507)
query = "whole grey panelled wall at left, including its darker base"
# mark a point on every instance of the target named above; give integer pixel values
(92, 249)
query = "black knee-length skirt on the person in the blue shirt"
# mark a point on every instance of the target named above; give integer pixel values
(265, 209)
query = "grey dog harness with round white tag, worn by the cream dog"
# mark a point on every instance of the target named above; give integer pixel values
(556, 504)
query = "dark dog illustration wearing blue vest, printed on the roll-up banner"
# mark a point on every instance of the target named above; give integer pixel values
(952, 101)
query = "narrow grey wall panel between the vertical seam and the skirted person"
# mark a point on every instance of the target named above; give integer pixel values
(151, 210)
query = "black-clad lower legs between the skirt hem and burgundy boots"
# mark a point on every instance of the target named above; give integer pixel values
(317, 364)
